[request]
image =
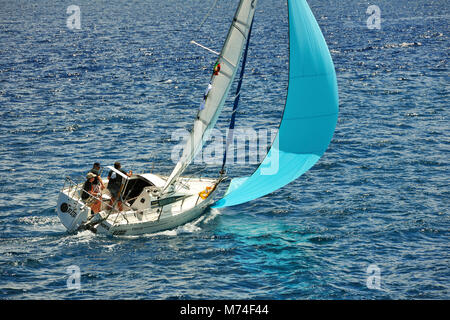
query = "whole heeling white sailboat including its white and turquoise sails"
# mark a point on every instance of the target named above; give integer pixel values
(153, 203)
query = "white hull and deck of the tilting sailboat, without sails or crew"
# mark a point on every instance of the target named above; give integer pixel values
(143, 214)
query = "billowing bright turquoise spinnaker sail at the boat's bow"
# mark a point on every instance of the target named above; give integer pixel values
(309, 117)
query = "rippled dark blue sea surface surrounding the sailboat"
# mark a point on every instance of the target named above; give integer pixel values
(369, 221)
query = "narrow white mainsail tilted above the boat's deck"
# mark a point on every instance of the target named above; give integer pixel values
(220, 84)
